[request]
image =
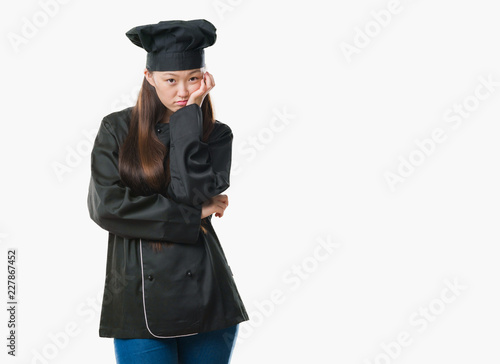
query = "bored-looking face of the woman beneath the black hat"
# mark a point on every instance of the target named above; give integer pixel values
(175, 86)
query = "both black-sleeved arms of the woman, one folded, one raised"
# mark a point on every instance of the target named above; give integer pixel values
(199, 171)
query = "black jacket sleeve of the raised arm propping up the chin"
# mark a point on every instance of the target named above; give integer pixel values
(198, 170)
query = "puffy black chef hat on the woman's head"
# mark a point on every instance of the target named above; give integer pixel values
(174, 45)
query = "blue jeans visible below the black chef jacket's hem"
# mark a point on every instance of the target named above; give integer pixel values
(213, 347)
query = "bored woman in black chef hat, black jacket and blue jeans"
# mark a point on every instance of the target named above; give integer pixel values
(157, 173)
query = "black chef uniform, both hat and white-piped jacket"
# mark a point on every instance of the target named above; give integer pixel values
(187, 287)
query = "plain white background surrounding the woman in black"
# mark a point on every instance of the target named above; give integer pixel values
(353, 119)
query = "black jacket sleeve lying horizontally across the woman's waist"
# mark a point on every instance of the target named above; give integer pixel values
(116, 209)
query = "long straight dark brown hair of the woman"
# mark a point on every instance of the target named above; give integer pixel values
(143, 161)
